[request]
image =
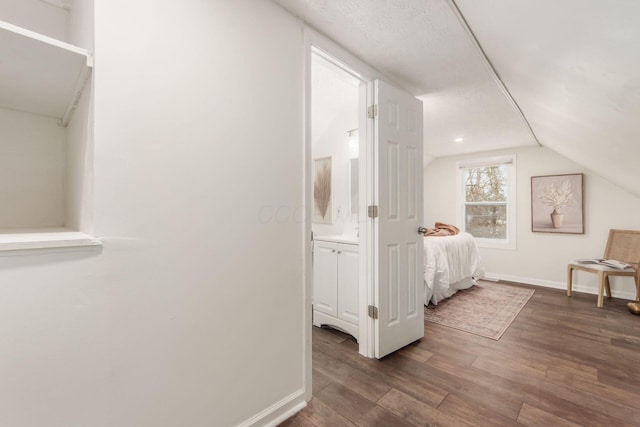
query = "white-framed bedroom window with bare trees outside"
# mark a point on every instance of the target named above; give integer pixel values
(487, 201)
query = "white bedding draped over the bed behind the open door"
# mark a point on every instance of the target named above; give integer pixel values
(450, 263)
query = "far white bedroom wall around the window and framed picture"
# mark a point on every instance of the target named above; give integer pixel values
(541, 258)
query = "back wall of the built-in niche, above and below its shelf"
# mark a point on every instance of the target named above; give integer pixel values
(32, 147)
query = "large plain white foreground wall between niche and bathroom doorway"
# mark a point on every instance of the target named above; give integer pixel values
(192, 313)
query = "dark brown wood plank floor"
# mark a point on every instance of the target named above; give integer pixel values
(562, 362)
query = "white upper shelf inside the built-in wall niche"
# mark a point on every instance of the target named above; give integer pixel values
(41, 75)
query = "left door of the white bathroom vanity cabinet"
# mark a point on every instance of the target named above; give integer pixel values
(325, 274)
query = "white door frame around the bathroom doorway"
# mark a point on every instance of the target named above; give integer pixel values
(316, 43)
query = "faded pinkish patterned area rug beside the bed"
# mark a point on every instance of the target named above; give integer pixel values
(486, 309)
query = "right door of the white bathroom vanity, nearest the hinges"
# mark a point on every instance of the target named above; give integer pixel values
(348, 283)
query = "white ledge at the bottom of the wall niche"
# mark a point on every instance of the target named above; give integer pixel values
(19, 241)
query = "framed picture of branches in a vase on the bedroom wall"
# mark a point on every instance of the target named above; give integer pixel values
(557, 203)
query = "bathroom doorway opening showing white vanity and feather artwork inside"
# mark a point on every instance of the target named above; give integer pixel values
(338, 111)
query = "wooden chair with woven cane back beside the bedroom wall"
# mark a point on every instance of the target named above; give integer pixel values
(622, 245)
